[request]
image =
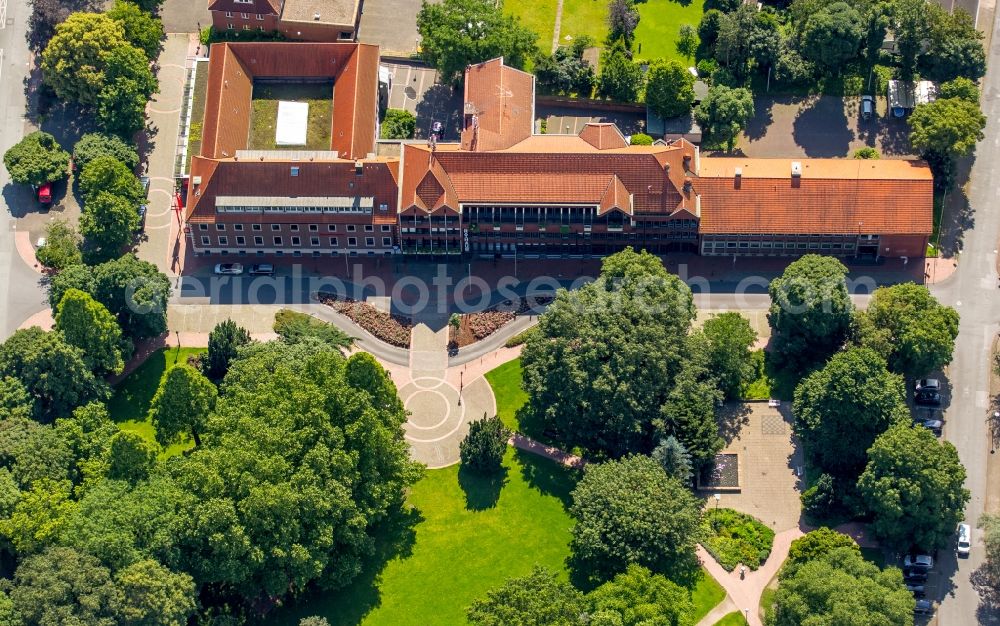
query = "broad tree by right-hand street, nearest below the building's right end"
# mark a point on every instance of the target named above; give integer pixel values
(920, 331)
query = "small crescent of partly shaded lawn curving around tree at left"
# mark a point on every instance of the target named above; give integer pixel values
(130, 402)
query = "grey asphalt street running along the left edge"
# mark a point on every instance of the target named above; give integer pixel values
(18, 282)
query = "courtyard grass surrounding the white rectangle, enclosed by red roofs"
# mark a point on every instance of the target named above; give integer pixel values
(264, 115)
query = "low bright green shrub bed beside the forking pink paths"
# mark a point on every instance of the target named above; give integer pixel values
(732, 538)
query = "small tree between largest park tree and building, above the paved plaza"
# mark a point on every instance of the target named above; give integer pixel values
(730, 339)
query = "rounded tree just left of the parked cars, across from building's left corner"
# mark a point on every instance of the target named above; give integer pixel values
(136, 292)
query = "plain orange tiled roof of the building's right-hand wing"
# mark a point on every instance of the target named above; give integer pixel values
(832, 196)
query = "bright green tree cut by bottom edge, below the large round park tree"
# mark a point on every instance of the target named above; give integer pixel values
(639, 597)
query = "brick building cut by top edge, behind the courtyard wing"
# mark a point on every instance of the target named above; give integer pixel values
(303, 20)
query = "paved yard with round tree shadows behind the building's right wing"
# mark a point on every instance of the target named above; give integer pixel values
(821, 126)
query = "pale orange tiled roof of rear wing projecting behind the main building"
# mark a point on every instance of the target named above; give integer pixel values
(499, 106)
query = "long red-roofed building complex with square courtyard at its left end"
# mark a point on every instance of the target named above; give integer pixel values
(505, 190)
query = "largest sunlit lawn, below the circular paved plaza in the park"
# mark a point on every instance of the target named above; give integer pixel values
(456, 545)
